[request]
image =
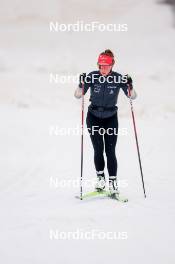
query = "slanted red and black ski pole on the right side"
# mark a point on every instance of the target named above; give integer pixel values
(136, 138)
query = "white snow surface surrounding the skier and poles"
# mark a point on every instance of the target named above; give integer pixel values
(33, 157)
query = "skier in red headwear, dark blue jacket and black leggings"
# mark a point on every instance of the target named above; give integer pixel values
(102, 119)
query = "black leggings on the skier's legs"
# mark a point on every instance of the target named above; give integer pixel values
(97, 127)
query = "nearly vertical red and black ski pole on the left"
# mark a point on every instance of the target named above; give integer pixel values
(82, 134)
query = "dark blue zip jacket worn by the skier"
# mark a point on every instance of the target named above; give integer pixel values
(104, 92)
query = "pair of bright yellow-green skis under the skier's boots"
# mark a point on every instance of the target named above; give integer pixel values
(117, 196)
